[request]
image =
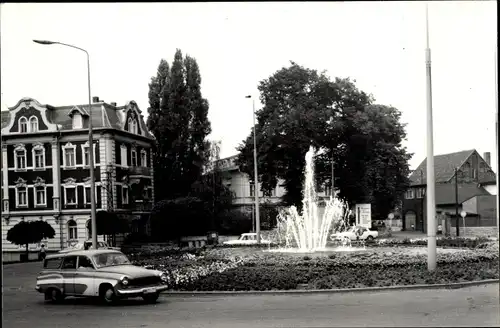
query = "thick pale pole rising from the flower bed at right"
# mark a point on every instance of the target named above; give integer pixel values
(431, 192)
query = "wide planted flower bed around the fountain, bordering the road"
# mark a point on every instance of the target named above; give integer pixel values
(226, 269)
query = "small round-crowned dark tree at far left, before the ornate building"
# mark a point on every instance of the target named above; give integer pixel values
(29, 232)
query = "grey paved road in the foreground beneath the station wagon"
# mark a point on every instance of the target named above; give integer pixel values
(472, 307)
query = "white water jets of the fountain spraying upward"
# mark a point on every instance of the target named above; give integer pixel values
(310, 231)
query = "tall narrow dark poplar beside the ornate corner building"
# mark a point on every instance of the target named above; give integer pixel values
(178, 120)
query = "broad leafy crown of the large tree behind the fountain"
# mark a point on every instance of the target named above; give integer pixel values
(302, 107)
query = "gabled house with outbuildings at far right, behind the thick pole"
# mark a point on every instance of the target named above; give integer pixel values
(476, 190)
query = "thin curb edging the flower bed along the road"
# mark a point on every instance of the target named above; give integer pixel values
(332, 291)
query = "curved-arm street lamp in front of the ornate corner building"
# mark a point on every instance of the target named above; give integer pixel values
(91, 144)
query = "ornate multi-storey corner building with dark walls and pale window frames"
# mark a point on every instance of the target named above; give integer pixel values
(45, 167)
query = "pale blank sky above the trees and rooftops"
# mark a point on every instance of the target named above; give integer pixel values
(379, 44)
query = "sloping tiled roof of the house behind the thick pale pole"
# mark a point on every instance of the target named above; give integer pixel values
(444, 166)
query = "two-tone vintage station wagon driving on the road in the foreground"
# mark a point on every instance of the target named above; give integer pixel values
(103, 273)
